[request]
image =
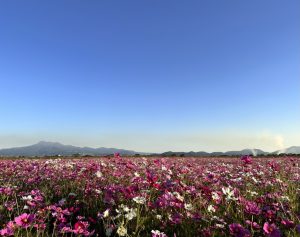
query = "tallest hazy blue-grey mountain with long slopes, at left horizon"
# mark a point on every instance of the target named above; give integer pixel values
(54, 148)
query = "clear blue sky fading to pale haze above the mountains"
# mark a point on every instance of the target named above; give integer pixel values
(151, 75)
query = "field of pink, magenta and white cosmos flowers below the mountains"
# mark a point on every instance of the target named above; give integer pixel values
(150, 197)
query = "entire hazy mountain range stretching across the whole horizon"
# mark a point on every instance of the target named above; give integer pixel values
(54, 148)
